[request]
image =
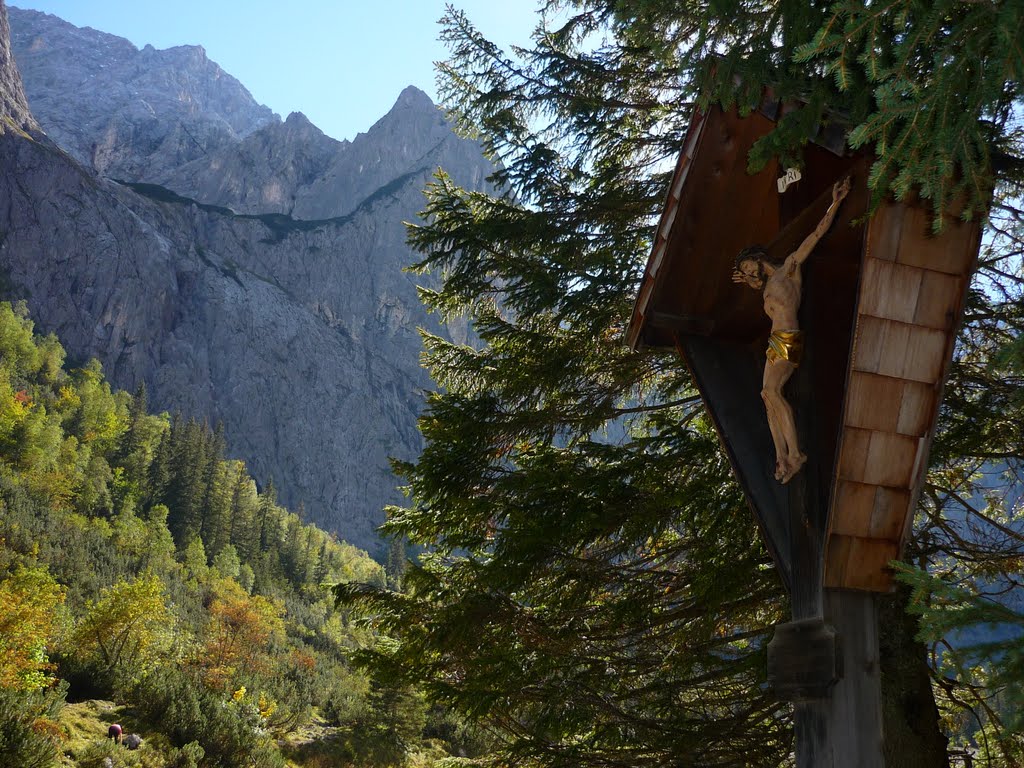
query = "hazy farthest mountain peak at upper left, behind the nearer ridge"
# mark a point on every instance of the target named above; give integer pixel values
(127, 113)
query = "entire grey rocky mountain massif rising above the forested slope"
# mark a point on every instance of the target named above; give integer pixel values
(248, 270)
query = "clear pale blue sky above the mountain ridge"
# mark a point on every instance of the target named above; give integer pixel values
(342, 63)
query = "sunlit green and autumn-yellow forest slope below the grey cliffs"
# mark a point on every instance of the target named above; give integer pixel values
(140, 566)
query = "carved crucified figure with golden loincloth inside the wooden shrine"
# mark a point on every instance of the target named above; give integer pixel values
(783, 284)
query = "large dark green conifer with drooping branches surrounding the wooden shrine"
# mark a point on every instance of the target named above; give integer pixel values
(592, 585)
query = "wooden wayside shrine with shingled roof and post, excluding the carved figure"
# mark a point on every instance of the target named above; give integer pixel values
(879, 304)
